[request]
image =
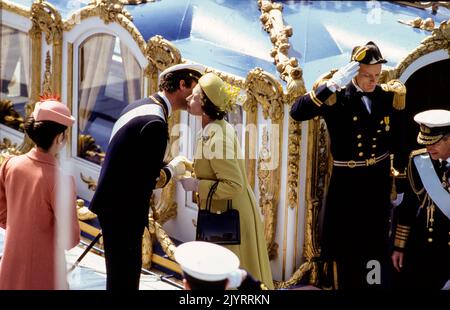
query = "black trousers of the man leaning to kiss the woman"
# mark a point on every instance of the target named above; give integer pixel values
(122, 242)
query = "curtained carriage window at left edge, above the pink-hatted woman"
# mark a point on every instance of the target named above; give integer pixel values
(14, 76)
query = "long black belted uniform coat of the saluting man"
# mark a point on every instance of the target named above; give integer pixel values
(356, 219)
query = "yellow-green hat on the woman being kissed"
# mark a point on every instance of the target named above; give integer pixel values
(221, 94)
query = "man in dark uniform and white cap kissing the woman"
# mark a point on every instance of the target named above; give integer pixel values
(134, 163)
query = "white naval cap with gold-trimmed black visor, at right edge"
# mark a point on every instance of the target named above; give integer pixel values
(434, 124)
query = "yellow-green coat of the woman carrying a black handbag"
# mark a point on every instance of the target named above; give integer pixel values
(219, 157)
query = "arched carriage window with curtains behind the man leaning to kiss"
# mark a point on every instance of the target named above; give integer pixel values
(109, 79)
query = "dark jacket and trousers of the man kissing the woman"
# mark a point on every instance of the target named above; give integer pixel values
(132, 165)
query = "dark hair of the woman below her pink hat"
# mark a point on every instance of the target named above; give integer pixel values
(43, 132)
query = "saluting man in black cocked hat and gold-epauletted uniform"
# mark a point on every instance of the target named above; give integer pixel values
(364, 121)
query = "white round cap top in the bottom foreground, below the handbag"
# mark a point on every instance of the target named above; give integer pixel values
(206, 261)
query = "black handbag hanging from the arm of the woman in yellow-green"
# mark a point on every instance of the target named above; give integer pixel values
(219, 228)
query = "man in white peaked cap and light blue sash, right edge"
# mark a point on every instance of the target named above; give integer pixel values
(422, 236)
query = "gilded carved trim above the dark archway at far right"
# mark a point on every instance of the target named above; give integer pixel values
(439, 39)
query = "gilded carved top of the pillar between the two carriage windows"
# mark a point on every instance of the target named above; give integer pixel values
(45, 18)
